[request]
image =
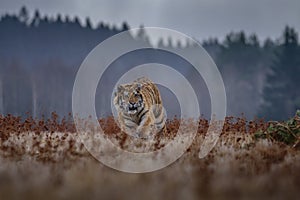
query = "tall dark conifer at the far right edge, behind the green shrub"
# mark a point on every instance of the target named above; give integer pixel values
(281, 93)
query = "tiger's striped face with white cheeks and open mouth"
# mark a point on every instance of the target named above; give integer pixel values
(129, 98)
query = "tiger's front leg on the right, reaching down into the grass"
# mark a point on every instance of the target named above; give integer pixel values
(145, 127)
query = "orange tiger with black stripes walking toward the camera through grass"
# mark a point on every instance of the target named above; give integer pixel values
(140, 109)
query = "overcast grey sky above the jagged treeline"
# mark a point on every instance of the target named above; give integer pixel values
(198, 18)
